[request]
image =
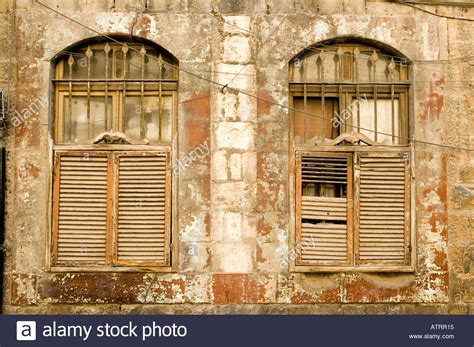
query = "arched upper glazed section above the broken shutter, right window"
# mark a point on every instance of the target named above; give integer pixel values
(344, 88)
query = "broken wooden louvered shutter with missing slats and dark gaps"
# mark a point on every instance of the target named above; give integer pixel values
(323, 208)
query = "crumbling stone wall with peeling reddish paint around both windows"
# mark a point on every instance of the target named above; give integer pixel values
(234, 205)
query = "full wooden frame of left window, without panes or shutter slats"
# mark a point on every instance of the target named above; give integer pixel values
(115, 86)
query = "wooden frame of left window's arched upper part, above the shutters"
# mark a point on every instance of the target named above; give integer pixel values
(117, 87)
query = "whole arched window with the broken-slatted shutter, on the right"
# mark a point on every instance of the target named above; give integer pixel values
(350, 129)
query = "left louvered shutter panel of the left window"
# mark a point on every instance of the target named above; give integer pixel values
(80, 208)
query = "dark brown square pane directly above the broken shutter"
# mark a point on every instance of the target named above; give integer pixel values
(316, 125)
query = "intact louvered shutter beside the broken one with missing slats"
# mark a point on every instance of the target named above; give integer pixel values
(384, 212)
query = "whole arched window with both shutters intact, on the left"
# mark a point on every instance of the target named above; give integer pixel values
(115, 107)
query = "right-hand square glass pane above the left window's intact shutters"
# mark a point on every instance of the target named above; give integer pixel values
(132, 115)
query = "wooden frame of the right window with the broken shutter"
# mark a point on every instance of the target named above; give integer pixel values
(351, 89)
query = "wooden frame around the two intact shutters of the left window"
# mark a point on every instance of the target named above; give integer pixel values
(111, 262)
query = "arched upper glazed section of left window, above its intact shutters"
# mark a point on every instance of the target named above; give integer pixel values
(110, 87)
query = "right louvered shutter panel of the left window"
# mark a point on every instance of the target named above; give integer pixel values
(143, 209)
